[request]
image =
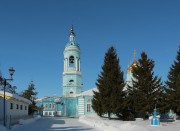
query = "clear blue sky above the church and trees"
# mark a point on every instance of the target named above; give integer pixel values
(33, 34)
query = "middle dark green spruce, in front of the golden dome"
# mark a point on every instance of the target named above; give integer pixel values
(146, 88)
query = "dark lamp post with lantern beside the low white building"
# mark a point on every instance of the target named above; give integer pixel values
(11, 72)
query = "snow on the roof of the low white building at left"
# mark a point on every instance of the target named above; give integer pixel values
(17, 97)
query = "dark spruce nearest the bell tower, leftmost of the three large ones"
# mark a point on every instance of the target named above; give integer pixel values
(110, 86)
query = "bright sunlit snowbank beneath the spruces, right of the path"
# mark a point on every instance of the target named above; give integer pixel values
(104, 124)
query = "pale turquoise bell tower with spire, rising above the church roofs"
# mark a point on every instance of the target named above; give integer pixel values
(72, 77)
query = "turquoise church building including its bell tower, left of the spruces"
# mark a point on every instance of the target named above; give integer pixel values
(73, 102)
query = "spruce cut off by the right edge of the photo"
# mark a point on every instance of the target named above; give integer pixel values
(173, 86)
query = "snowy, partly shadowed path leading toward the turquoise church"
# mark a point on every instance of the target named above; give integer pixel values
(54, 124)
